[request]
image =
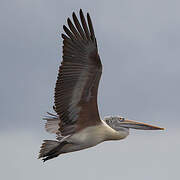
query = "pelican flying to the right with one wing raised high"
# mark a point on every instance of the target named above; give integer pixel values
(77, 123)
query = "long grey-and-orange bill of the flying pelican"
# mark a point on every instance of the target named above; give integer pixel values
(138, 125)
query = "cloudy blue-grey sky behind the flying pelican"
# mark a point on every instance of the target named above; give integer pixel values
(139, 45)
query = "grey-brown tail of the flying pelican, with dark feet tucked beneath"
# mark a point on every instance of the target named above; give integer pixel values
(50, 149)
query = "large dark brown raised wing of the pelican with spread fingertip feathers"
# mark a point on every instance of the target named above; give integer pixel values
(78, 78)
